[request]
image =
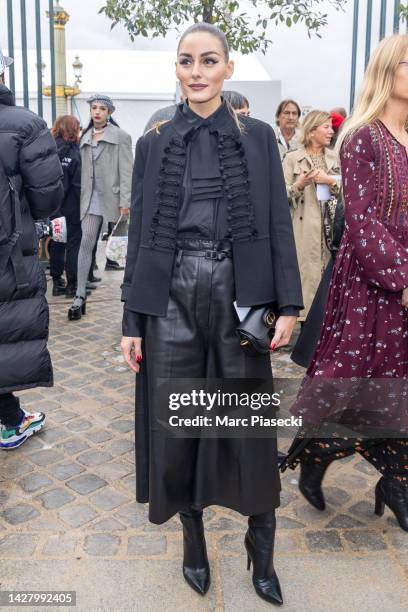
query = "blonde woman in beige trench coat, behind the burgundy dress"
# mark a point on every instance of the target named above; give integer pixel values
(311, 165)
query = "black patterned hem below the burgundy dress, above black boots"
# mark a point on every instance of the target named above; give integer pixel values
(388, 456)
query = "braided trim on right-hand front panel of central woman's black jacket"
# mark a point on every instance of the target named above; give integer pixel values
(234, 173)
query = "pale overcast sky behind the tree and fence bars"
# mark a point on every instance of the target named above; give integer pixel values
(316, 72)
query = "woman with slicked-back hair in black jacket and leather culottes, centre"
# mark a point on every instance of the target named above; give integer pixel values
(210, 224)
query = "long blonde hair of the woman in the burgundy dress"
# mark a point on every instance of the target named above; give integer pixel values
(377, 84)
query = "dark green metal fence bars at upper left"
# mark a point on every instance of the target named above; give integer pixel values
(39, 7)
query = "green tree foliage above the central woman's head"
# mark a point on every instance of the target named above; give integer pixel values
(246, 31)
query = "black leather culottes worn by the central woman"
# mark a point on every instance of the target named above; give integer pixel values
(197, 339)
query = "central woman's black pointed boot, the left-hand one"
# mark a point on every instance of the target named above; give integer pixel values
(196, 569)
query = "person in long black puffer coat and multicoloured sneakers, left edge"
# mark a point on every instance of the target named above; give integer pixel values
(28, 155)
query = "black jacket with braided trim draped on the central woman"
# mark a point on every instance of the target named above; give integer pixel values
(260, 229)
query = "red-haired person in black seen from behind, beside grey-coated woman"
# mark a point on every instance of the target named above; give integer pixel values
(66, 131)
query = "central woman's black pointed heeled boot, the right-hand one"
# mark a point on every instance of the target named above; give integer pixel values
(259, 544)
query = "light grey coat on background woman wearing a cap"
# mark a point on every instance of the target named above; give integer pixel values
(113, 165)
